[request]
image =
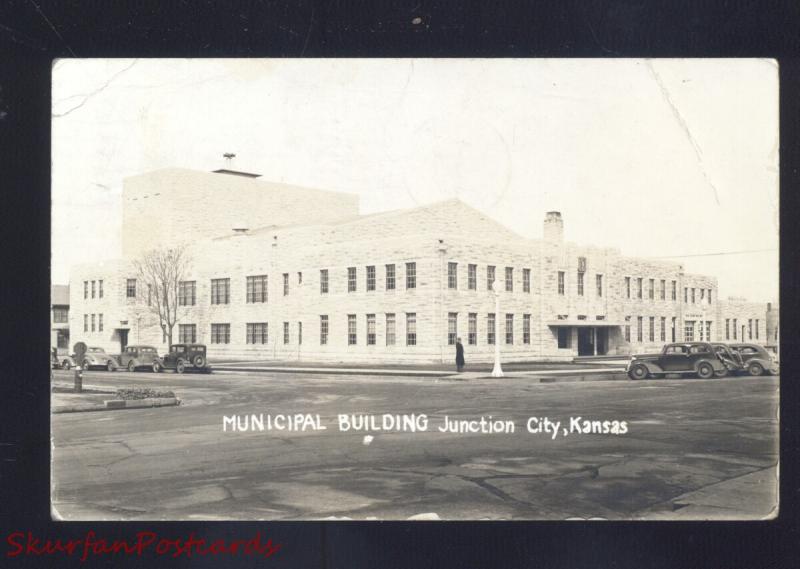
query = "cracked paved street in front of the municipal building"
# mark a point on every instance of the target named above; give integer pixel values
(693, 449)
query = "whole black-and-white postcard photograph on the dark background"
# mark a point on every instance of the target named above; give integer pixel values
(414, 289)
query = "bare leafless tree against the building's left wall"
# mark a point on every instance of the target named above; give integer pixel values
(162, 270)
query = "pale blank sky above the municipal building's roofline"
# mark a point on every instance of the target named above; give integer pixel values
(659, 158)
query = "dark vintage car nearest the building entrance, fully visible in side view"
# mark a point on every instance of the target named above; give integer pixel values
(696, 358)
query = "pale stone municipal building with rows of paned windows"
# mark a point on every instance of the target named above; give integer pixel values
(300, 276)
